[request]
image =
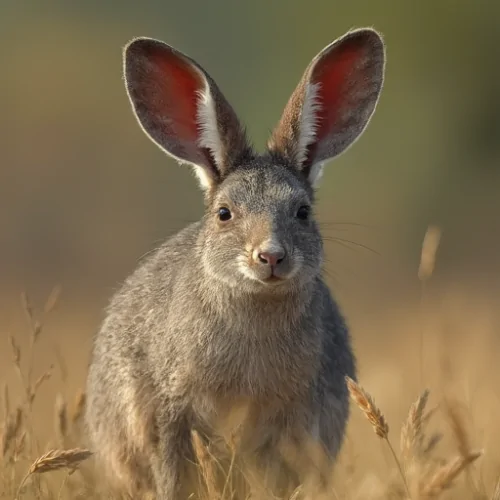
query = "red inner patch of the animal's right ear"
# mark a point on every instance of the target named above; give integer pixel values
(339, 79)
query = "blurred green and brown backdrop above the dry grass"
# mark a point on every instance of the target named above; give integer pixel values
(84, 194)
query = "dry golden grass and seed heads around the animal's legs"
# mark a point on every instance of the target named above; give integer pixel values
(438, 455)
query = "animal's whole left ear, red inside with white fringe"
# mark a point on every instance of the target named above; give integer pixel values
(181, 109)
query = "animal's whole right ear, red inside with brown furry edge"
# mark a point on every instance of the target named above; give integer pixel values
(333, 102)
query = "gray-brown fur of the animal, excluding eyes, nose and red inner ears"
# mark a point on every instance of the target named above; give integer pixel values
(198, 329)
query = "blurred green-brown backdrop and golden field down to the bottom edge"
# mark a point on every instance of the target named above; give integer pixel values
(83, 195)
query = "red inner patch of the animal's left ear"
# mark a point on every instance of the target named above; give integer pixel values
(178, 94)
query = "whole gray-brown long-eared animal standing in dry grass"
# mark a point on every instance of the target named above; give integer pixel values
(232, 312)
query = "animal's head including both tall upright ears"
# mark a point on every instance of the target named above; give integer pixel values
(259, 232)
